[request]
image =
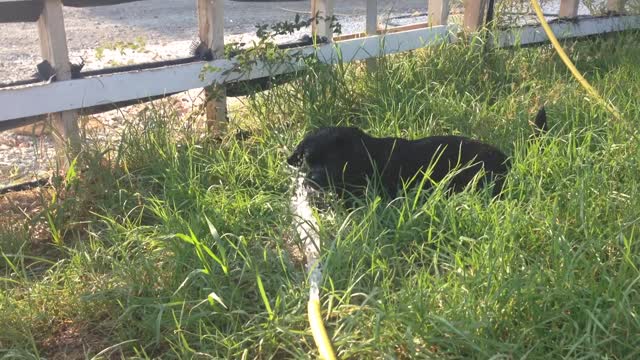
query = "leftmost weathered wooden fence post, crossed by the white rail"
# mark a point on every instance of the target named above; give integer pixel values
(53, 47)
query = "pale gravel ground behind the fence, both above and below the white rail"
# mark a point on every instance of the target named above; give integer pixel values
(165, 29)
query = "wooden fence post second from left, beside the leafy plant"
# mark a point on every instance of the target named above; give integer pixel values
(211, 31)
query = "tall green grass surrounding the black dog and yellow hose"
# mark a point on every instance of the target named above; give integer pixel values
(183, 249)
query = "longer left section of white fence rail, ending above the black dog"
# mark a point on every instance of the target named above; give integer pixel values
(74, 94)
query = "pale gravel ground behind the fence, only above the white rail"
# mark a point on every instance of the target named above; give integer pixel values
(167, 26)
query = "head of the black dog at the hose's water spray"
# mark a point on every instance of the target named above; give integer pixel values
(333, 156)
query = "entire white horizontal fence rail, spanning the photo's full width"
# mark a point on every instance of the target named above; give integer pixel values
(87, 92)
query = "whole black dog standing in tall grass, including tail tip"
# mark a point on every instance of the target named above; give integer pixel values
(346, 158)
